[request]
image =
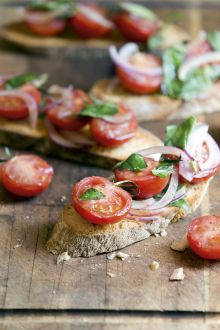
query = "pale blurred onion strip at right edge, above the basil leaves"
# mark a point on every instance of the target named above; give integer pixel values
(197, 61)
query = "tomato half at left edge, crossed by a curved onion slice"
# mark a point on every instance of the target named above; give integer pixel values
(12, 107)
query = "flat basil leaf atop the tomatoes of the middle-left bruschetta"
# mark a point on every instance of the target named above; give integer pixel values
(99, 109)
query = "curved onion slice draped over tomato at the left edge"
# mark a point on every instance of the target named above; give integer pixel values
(28, 100)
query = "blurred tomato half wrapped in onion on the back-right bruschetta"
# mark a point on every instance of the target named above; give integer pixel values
(140, 83)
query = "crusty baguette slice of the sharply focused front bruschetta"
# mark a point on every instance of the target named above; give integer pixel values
(80, 238)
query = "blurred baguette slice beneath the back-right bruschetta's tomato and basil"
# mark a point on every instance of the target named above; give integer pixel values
(157, 106)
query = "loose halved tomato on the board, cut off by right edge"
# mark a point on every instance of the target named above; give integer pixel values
(204, 237)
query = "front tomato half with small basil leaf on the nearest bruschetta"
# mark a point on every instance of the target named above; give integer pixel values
(110, 209)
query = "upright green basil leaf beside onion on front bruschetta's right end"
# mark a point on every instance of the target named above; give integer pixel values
(178, 135)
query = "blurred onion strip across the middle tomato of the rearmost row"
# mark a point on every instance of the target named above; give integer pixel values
(94, 15)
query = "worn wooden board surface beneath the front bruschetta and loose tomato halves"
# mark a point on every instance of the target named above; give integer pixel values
(30, 278)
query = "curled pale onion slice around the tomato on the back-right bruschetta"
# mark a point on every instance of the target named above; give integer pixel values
(122, 57)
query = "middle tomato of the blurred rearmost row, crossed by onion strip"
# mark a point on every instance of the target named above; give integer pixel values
(87, 26)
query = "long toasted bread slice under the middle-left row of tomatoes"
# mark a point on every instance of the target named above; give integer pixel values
(19, 134)
